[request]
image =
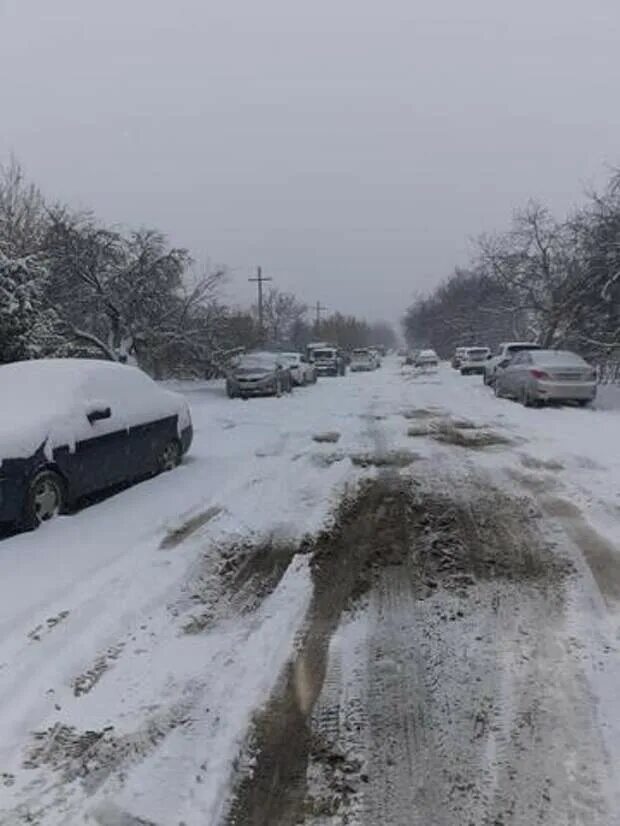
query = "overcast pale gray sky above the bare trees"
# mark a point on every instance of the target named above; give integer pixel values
(351, 147)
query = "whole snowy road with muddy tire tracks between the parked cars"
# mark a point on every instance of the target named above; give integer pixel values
(388, 599)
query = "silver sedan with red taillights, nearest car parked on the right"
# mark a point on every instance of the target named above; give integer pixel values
(539, 376)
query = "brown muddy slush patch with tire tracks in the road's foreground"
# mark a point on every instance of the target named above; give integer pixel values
(435, 681)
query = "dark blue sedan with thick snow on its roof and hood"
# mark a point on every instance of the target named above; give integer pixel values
(72, 427)
